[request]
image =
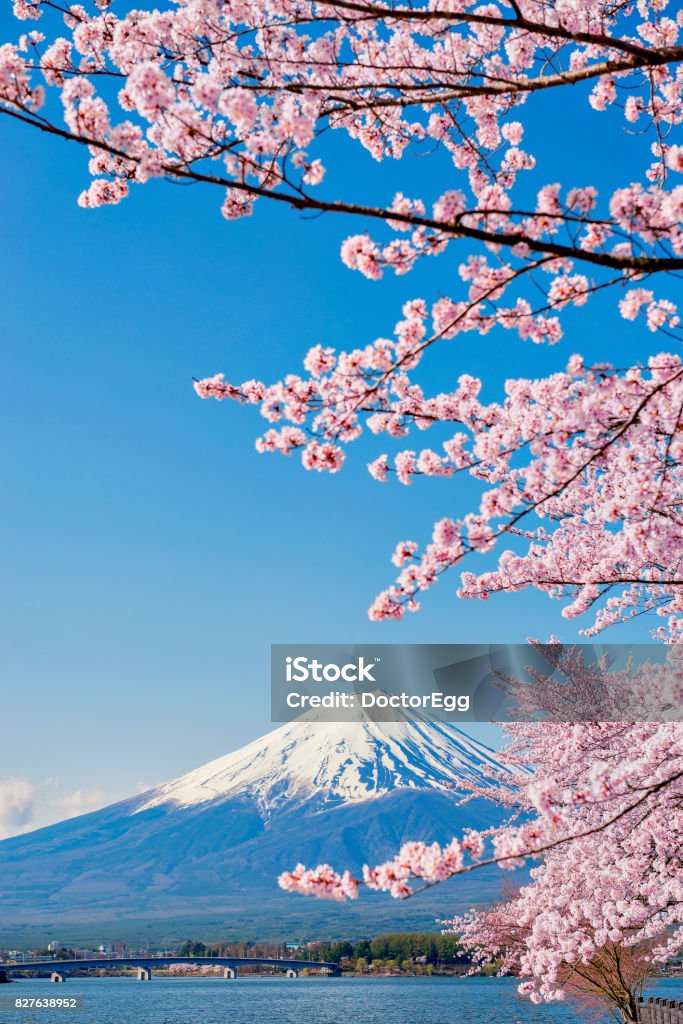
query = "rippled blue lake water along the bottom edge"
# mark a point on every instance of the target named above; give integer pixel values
(282, 1001)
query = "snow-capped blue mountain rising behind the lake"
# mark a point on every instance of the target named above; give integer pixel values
(214, 842)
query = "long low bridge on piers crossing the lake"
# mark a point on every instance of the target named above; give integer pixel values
(145, 966)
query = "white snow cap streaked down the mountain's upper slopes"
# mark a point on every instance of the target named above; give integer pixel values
(314, 760)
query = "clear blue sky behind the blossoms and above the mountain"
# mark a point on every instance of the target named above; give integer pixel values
(151, 557)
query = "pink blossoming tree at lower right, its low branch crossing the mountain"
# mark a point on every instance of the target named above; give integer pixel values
(599, 806)
